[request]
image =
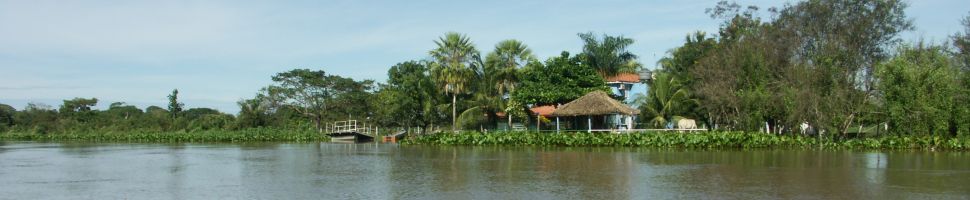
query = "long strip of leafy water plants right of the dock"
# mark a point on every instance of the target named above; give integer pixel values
(689, 140)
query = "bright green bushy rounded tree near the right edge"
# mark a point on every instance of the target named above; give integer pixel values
(918, 88)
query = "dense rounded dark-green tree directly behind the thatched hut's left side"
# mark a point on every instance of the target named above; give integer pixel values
(560, 80)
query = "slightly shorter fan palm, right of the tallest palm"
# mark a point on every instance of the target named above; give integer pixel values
(504, 63)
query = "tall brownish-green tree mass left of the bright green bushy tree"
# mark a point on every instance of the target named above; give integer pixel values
(813, 62)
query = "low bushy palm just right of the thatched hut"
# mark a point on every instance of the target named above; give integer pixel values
(667, 100)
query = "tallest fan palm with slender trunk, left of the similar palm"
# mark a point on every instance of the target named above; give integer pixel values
(454, 60)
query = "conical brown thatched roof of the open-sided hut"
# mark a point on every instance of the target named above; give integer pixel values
(594, 103)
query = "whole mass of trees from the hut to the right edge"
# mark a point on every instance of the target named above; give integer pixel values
(829, 64)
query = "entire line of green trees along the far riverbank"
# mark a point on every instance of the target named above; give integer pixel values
(829, 66)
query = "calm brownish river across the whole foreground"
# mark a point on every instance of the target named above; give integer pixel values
(30, 170)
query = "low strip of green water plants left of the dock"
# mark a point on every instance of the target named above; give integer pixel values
(244, 135)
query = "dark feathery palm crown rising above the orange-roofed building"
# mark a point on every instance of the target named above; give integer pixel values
(608, 56)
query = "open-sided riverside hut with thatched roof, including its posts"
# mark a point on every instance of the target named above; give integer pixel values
(608, 113)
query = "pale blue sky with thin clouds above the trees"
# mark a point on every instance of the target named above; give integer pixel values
(218, 52)
